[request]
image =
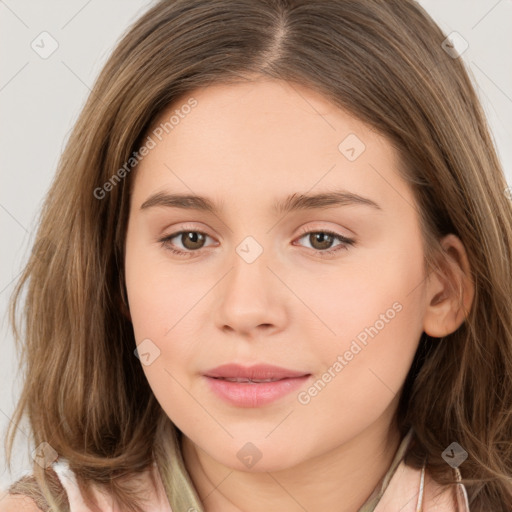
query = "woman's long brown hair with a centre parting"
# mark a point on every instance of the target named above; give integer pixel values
(380, 60)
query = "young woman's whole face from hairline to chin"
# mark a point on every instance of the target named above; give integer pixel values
(331, 289)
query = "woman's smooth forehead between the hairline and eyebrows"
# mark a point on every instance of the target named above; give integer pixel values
(266, 135)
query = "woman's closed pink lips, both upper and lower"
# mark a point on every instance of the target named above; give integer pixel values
(242, 386)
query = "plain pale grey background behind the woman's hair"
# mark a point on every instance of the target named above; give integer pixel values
(40, 100)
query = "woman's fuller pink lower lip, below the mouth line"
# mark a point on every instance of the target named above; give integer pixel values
(244, 394)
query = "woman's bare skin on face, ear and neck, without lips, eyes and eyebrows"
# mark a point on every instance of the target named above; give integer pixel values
(244, 146)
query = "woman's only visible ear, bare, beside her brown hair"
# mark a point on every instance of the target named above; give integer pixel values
(450, 290)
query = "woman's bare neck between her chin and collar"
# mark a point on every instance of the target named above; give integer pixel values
(341, 479)
